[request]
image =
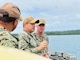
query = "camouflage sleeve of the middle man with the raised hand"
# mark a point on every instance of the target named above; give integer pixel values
(24, 44)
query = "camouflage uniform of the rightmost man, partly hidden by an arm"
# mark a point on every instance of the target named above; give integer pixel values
(40, 39)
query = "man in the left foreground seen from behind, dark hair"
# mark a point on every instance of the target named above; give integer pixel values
(9, 16)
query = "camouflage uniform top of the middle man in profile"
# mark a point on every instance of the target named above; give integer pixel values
(27, 42)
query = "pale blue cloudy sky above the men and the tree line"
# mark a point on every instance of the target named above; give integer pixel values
(60, 15)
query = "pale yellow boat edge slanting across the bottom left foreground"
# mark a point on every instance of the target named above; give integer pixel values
(7, 53)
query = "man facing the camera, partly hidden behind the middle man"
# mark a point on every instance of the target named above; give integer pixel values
(41, 36)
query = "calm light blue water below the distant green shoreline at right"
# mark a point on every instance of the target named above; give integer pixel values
(65, 43)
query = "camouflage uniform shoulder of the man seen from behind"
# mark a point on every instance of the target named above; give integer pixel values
(6, 39)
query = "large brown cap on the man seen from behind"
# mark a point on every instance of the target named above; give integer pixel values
(11, 9)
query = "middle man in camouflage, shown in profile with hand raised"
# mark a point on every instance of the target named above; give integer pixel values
(27, 40)
